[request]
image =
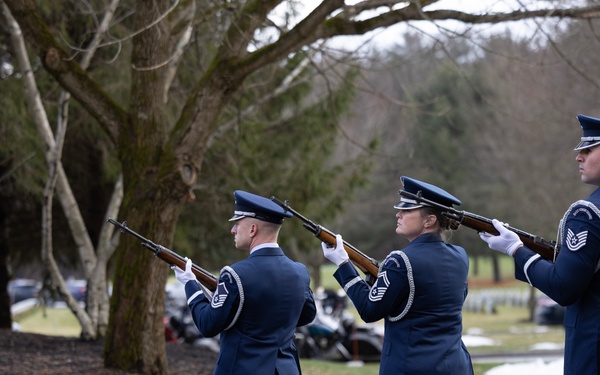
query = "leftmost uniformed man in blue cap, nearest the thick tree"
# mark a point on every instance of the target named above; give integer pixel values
(259, 301)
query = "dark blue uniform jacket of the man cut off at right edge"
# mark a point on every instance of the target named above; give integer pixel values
(573, 281)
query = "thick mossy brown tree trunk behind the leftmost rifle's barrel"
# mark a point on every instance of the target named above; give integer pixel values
(151, 205)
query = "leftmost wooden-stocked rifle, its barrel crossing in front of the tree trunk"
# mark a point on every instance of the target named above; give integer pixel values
(170, 257)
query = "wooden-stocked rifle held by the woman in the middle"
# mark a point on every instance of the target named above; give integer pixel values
(363, 262)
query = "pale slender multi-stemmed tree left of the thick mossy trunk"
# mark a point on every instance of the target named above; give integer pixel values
(95, 272)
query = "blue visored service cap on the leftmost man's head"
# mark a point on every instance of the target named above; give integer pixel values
(257, 207)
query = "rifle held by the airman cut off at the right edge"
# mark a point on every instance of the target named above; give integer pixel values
(547, 249)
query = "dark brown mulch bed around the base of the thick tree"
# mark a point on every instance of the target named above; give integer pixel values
(27, 353)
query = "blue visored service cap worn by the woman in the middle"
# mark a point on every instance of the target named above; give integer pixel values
(425, 190)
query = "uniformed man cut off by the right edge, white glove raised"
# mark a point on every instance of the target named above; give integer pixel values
(572, 280)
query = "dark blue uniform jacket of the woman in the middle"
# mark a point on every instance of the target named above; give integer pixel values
(419, 292)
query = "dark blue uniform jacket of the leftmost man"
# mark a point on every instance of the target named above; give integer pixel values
(256, 308)
